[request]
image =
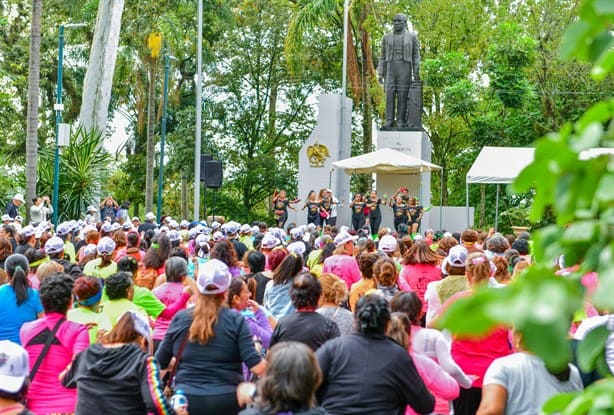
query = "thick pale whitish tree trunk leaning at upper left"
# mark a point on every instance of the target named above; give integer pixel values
(99, 76)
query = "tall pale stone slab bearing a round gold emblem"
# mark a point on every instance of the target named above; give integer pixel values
(330, 141)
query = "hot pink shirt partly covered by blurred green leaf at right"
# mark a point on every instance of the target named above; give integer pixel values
(475, 354)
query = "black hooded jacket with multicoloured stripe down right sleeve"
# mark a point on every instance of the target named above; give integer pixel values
(116, 380)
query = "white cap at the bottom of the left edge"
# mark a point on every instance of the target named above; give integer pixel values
(14, 366)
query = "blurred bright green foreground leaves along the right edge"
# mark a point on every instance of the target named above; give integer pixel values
(577, 186)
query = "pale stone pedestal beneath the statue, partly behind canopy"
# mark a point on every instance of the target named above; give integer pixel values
(415, 143)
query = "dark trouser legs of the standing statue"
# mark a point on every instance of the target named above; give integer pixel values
(398, 79)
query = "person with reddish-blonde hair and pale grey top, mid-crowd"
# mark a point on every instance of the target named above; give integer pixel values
(334, 293)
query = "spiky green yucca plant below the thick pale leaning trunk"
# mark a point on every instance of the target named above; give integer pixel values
(84, 167)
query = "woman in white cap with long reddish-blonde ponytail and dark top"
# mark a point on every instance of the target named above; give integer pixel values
(209, 343)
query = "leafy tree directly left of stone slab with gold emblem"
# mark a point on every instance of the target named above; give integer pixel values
(260, 115)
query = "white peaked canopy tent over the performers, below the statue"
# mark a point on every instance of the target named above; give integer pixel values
(386, 161)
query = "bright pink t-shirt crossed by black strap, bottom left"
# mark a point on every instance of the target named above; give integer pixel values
(46, 394)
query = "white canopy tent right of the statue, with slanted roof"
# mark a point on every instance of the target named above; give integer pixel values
(497, 165)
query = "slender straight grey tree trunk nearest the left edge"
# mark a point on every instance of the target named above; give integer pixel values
(33, 98)
